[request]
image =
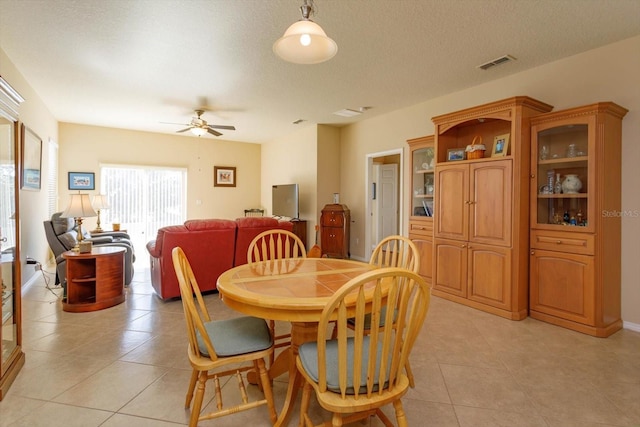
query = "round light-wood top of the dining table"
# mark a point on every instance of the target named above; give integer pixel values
(294, 290)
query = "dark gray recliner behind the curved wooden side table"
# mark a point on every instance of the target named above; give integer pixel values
(62, 236)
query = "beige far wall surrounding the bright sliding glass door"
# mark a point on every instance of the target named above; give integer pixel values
(84, 148)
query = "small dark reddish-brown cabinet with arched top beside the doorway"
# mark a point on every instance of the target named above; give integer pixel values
(335, 222)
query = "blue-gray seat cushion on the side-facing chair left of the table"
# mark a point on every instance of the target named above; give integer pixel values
(232, 337)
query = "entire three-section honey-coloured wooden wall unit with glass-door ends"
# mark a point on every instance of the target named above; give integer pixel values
(502, 232)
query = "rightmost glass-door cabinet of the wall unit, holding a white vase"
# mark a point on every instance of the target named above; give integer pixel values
(576, 214)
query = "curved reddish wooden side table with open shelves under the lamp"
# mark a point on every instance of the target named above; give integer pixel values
(95, 280)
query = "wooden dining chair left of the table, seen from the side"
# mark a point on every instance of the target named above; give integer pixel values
(221, 348)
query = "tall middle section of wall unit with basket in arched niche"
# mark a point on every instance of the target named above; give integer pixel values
(481, 207)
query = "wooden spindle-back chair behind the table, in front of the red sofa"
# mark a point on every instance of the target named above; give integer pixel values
(273, 245)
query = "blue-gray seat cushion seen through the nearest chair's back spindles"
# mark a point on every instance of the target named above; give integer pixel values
(308, 353)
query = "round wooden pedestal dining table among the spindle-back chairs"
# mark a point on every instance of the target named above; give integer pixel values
(293, 290)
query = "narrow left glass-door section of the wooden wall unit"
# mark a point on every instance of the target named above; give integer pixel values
(421, 209)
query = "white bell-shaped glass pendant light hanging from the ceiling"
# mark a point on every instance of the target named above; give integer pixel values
(305, 42)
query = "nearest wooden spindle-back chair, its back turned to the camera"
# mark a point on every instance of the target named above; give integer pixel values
(357, 373)
